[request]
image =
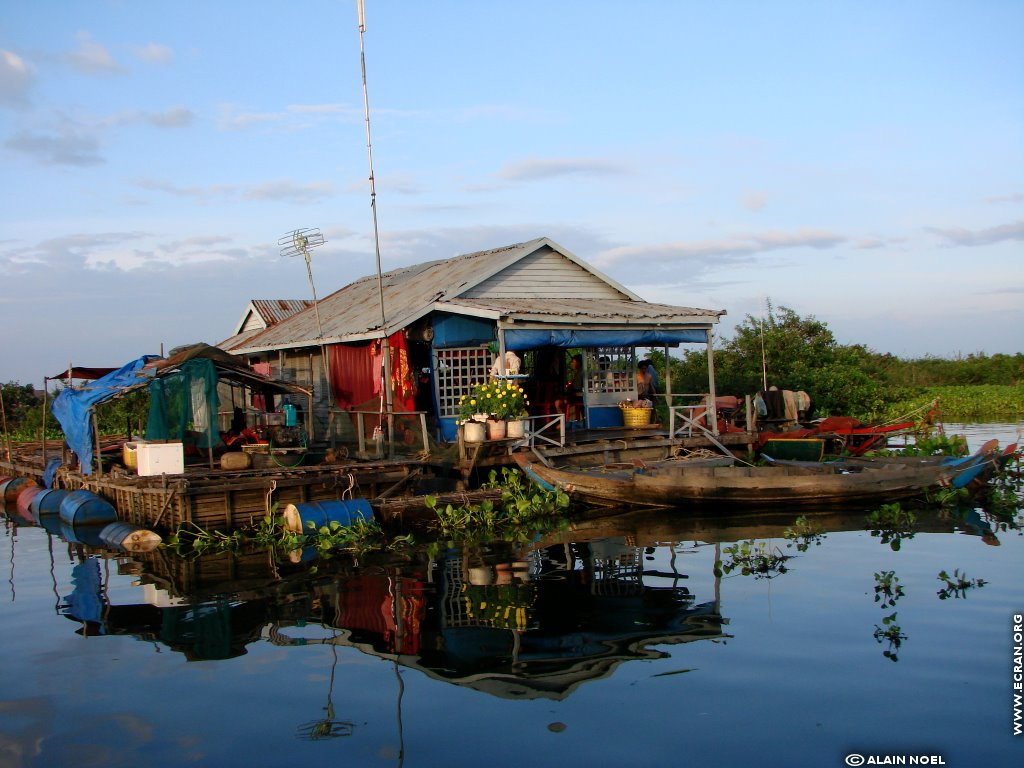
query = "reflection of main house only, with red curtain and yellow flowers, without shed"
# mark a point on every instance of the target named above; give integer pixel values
(526, 639)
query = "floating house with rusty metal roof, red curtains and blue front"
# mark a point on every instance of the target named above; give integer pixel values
(447, 324)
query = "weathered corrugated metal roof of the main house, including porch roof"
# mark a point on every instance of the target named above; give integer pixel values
(354, 314)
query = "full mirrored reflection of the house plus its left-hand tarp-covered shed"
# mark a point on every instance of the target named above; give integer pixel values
(576, 615)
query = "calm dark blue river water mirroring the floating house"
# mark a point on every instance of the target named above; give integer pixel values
(614, 644)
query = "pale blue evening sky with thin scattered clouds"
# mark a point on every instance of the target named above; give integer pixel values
(860, 162)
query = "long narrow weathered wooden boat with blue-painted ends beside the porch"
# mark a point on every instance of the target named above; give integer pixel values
(679, 484)
